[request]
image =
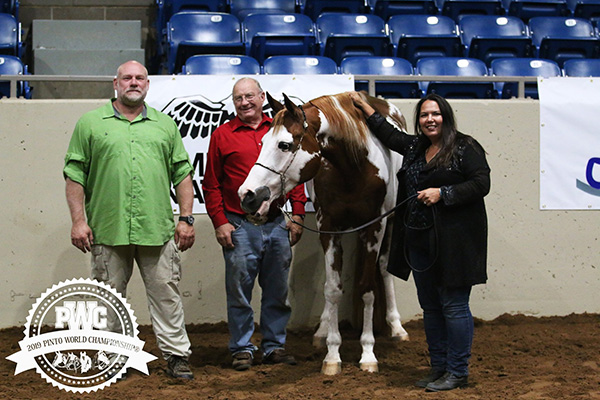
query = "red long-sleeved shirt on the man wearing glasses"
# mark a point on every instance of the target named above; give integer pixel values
(233, 150)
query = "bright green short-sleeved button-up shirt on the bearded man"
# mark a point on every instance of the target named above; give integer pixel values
(126, 169)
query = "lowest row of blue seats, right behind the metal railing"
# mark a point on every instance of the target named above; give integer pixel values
(447, 66)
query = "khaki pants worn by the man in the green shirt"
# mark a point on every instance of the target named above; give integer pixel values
(160, 268)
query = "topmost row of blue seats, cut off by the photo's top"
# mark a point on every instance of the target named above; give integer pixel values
(454, 9)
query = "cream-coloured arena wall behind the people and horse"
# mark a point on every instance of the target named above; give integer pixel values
(541, 263)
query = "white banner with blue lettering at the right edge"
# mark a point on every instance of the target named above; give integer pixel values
(569, 143)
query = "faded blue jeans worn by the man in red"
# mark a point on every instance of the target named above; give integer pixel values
(262, 251)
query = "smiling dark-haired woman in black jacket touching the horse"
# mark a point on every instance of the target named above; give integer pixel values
(441, 233)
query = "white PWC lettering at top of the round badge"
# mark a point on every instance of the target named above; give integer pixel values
(81, 315)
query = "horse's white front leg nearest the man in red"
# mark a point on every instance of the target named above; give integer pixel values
(332, 364)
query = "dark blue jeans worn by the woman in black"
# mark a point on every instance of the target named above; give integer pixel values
(447, 319)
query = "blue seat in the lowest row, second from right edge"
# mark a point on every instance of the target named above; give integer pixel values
(522, 67)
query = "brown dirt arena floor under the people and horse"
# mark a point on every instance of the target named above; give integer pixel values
(514, 357)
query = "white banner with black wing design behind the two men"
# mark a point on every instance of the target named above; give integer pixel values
(200, 103)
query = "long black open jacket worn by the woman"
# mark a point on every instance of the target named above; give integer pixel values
(461, 220)
